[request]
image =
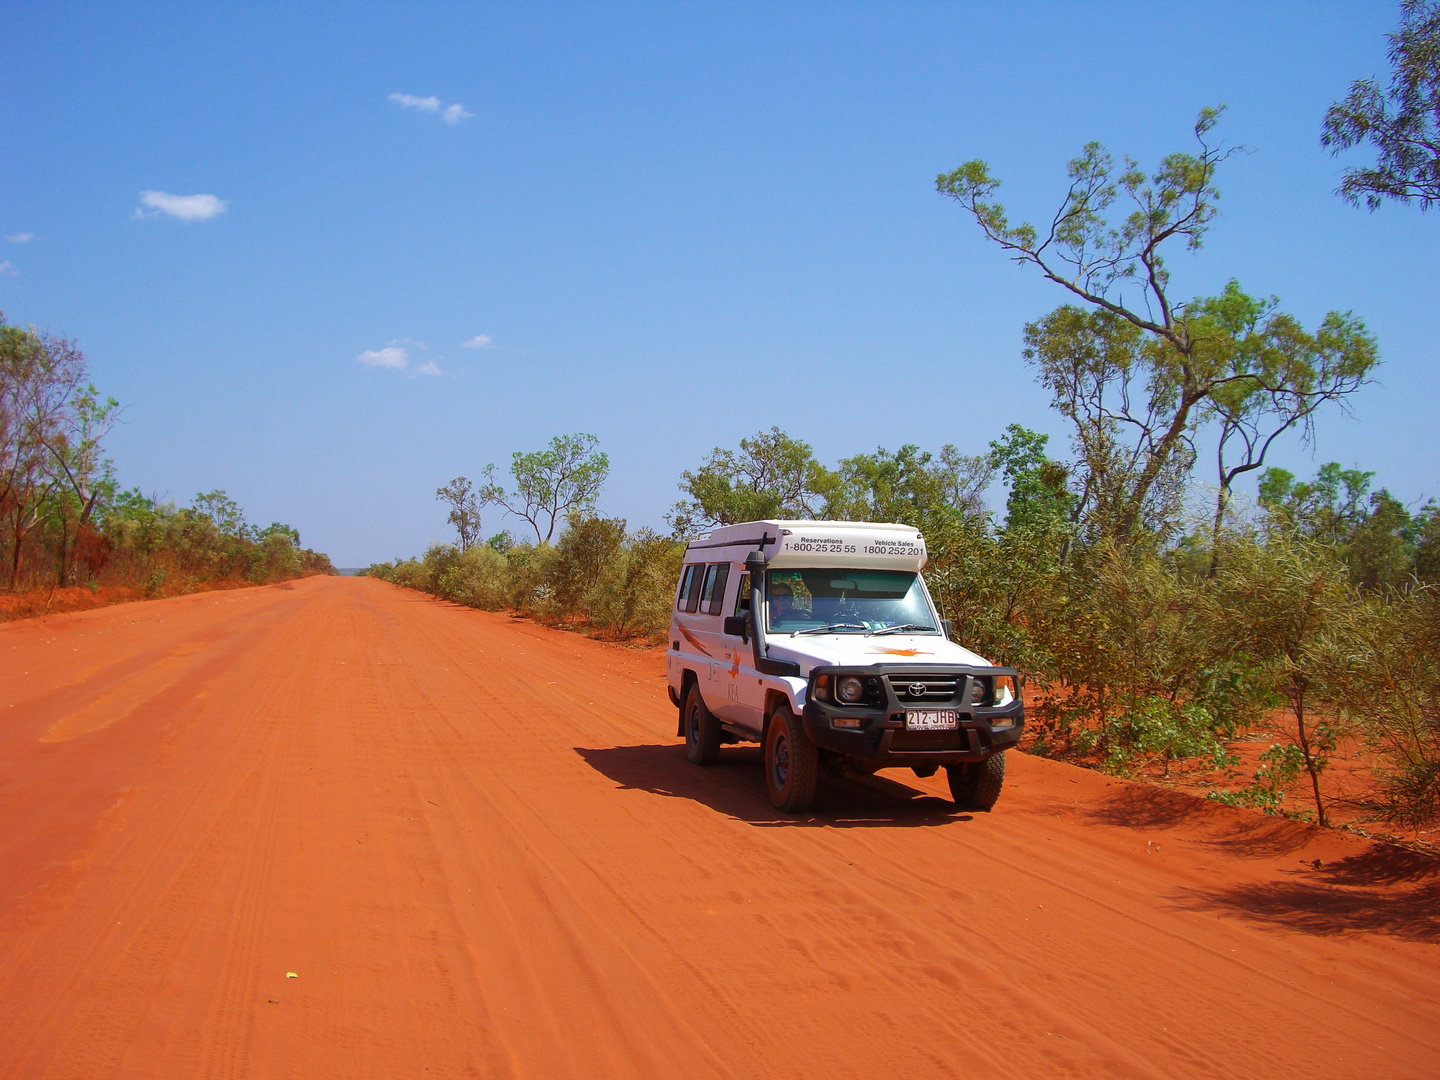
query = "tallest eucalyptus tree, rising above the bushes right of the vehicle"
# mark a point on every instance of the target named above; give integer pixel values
(1135, 371)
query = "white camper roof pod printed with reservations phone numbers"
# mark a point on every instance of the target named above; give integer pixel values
(882, 546)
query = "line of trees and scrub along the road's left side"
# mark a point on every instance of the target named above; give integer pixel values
(64, 521)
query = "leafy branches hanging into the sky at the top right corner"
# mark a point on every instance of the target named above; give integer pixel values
(1402, 125)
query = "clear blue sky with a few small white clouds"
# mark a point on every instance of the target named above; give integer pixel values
(667, 225)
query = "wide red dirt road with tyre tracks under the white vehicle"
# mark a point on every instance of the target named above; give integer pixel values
(479, 847)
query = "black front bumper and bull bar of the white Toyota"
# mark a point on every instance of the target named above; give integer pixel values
(882, 738)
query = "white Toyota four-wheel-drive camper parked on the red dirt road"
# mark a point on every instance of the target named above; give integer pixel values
(820, 642)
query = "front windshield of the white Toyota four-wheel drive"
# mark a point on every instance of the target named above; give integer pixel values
(847, 601)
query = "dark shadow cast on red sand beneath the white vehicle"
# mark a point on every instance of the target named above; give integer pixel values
(737, 788)
